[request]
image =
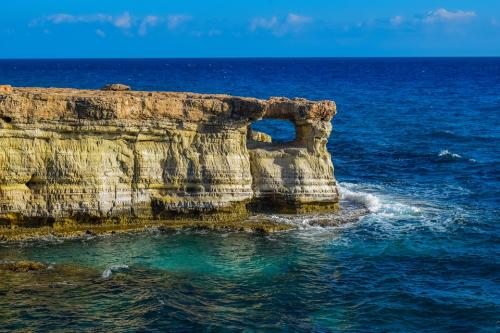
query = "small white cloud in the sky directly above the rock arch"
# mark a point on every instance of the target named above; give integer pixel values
(292, 23)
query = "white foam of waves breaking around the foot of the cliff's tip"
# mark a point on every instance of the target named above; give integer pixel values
(371, 208)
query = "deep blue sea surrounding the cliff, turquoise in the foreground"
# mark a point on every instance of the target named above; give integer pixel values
(416, 142)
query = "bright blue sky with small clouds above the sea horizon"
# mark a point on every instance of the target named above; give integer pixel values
(168, 28)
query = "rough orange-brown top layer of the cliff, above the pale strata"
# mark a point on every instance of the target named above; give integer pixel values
(28, 104)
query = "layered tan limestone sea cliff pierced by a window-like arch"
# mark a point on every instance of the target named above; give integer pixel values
(91, 155)
